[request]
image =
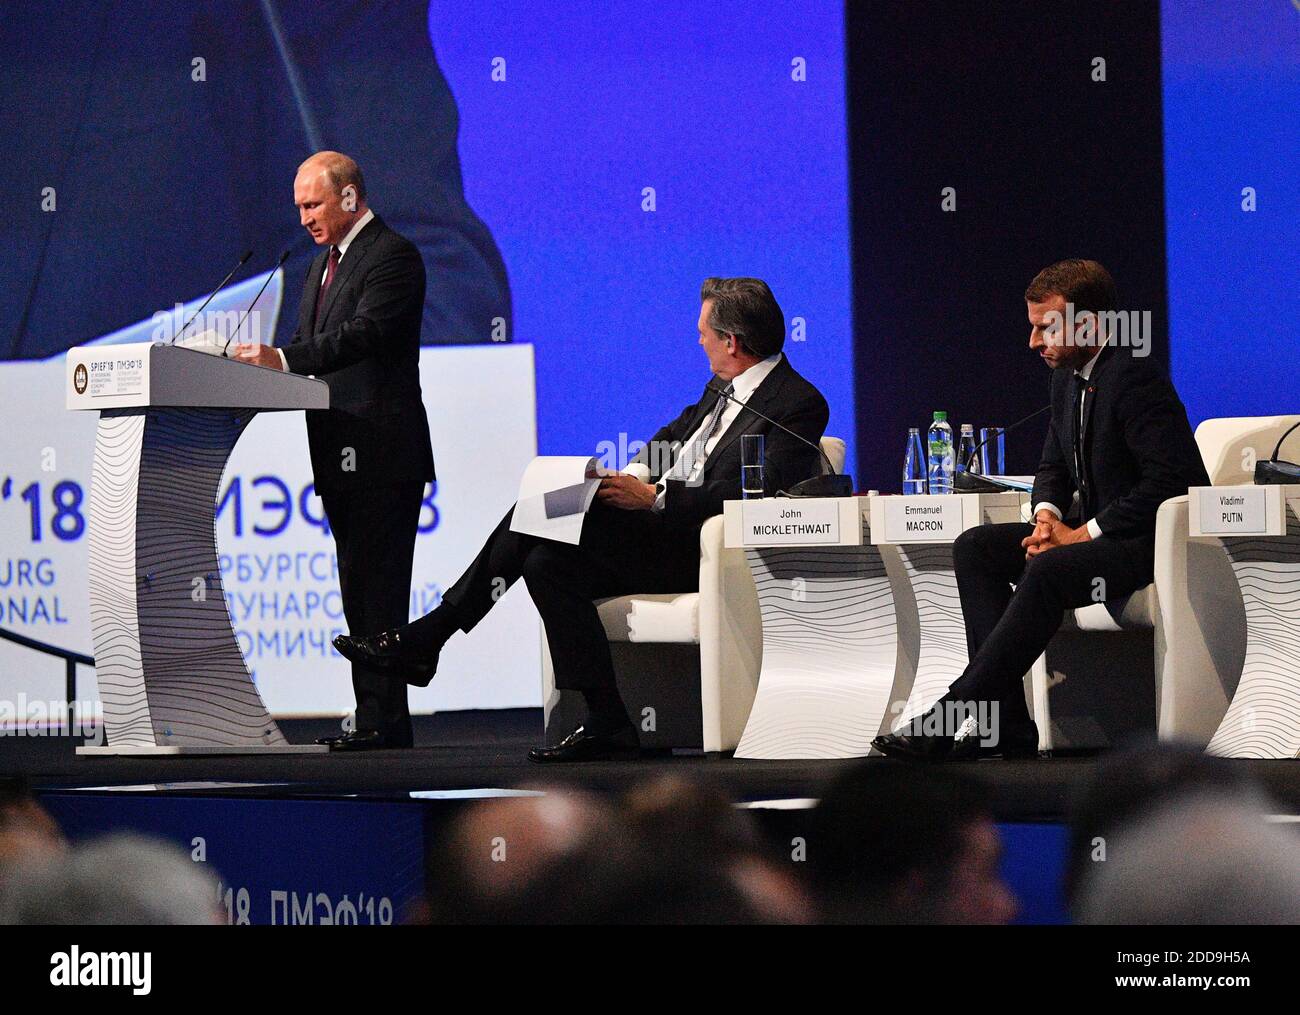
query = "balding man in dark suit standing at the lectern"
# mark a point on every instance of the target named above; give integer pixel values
(359, 332)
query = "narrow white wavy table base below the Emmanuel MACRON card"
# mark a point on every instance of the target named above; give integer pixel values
(942, 656)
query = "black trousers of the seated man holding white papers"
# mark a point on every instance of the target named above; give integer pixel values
(621, 553)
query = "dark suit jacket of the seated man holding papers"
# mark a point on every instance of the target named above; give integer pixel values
(786, 397)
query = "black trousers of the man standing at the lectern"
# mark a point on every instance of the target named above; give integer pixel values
(375, 531)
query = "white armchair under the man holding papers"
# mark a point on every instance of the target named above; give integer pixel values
(687, 665)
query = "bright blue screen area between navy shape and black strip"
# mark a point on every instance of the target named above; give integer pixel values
(736, 132)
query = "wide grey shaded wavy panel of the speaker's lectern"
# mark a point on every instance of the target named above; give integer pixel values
(200, 688)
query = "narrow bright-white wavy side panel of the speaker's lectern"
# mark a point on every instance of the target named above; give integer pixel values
(111, 570)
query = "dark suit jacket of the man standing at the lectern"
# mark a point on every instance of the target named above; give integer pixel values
(366, 346)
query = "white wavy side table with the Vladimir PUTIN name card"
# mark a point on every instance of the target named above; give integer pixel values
(1259, 528)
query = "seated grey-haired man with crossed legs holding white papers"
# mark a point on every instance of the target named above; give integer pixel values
(643, 533)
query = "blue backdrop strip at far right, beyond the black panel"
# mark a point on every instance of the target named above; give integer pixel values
(1232, 83)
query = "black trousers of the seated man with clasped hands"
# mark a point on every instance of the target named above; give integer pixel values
(1007, 631)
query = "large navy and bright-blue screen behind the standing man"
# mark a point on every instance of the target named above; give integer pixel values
(574, 171)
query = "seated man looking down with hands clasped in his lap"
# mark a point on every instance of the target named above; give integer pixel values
(1121, 441)
